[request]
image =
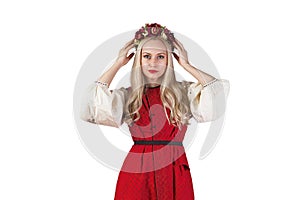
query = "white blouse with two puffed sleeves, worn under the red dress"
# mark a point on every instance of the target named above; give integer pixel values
(103, 106)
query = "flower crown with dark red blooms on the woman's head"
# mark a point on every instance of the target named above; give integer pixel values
(154, 30)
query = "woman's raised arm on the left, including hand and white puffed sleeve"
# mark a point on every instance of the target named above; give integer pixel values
(101, 105)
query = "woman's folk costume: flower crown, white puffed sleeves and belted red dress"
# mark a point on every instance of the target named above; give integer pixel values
(156, 167)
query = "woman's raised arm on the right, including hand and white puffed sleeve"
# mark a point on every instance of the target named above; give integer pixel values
(208, 96)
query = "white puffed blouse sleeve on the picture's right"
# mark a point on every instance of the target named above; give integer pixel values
(208, 102)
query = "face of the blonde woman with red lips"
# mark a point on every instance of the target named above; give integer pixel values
(154, 60)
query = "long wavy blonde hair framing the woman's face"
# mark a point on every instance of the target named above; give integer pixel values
(172, 93)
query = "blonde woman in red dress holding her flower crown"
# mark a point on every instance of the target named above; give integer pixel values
(157, 109)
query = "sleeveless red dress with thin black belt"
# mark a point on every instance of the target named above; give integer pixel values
(155, 172)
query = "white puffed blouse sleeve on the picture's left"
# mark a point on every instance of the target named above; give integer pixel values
(103, 106)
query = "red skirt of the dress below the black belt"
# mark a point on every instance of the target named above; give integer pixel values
(140, 180)
